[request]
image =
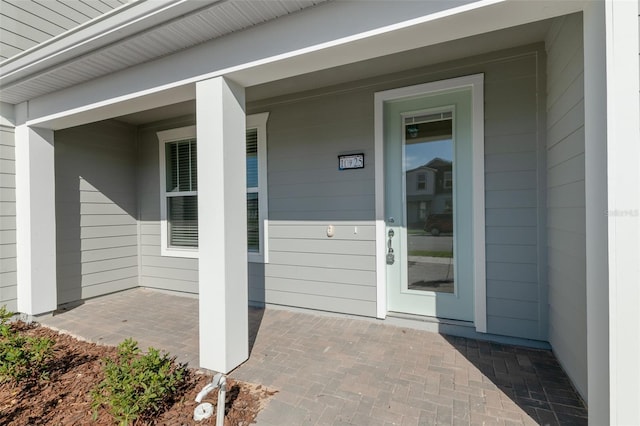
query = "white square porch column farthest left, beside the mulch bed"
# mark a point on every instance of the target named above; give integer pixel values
(35, 219)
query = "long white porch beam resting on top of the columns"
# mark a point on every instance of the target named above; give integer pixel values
(268, 52)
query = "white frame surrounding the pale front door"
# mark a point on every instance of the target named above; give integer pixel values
(476, 84)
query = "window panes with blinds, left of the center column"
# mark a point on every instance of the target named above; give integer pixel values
(181, 192)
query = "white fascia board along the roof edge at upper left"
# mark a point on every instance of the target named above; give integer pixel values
(99, 32)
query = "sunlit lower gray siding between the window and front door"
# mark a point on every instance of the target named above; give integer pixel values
(308, 269)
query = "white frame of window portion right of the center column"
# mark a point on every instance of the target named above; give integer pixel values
(259, 122)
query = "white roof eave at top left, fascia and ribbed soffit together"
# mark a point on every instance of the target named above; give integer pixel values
(129, 37)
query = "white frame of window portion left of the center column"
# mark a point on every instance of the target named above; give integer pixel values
(165, 137)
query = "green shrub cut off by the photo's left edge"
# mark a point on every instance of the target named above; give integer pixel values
(22, 357)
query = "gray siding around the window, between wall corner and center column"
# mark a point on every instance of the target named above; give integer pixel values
(157, 271)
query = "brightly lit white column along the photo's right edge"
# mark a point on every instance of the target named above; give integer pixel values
(623, 159)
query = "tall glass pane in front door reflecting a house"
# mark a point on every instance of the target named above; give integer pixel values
(429, 202)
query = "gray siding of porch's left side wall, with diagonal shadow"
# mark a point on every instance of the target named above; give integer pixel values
(96, 210)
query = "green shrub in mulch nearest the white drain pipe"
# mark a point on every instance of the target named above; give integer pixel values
(136, 385)
